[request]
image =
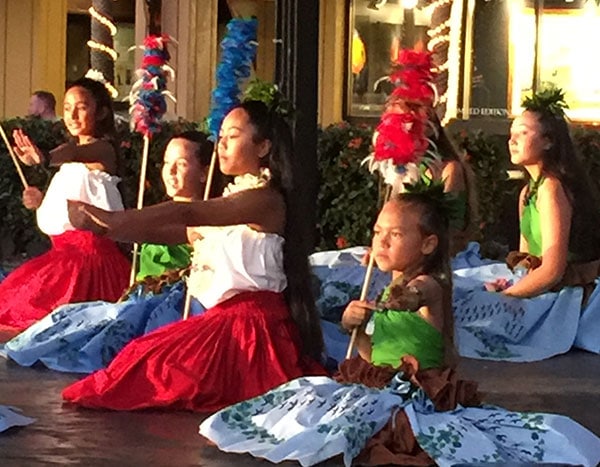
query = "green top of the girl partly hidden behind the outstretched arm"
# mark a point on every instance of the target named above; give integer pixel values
(156, 259)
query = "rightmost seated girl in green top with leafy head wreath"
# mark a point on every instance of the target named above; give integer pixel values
(560, 246)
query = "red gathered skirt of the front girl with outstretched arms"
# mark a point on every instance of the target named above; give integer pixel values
(236, 350)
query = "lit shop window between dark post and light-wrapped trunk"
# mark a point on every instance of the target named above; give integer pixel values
(378, 30)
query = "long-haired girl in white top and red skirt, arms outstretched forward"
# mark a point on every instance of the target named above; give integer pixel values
(248, 269)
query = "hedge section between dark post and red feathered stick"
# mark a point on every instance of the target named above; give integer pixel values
(347, 202)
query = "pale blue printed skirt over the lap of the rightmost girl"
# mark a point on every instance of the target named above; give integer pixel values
(493, 326)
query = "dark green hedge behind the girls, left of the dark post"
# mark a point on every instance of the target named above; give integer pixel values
(18, 231)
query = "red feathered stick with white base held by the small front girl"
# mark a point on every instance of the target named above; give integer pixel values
(399, 142)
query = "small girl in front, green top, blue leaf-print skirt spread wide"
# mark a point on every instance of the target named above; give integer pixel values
(398, 403)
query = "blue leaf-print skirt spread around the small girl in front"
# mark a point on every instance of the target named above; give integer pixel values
(313, 419)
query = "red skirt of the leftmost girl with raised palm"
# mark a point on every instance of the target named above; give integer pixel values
(79, 267)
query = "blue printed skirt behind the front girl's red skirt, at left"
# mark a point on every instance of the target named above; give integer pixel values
(85, 337)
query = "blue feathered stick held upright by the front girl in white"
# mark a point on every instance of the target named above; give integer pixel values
(238, 50)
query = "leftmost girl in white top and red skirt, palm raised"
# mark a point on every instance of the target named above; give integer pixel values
(80, 265)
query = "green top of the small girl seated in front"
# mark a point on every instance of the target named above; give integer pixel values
(400, 333)
